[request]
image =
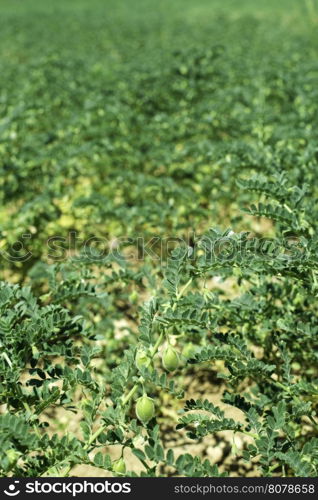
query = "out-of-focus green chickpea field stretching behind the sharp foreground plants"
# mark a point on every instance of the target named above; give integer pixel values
(138, 120)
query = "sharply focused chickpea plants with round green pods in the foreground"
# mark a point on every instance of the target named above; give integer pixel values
(43, 366)
